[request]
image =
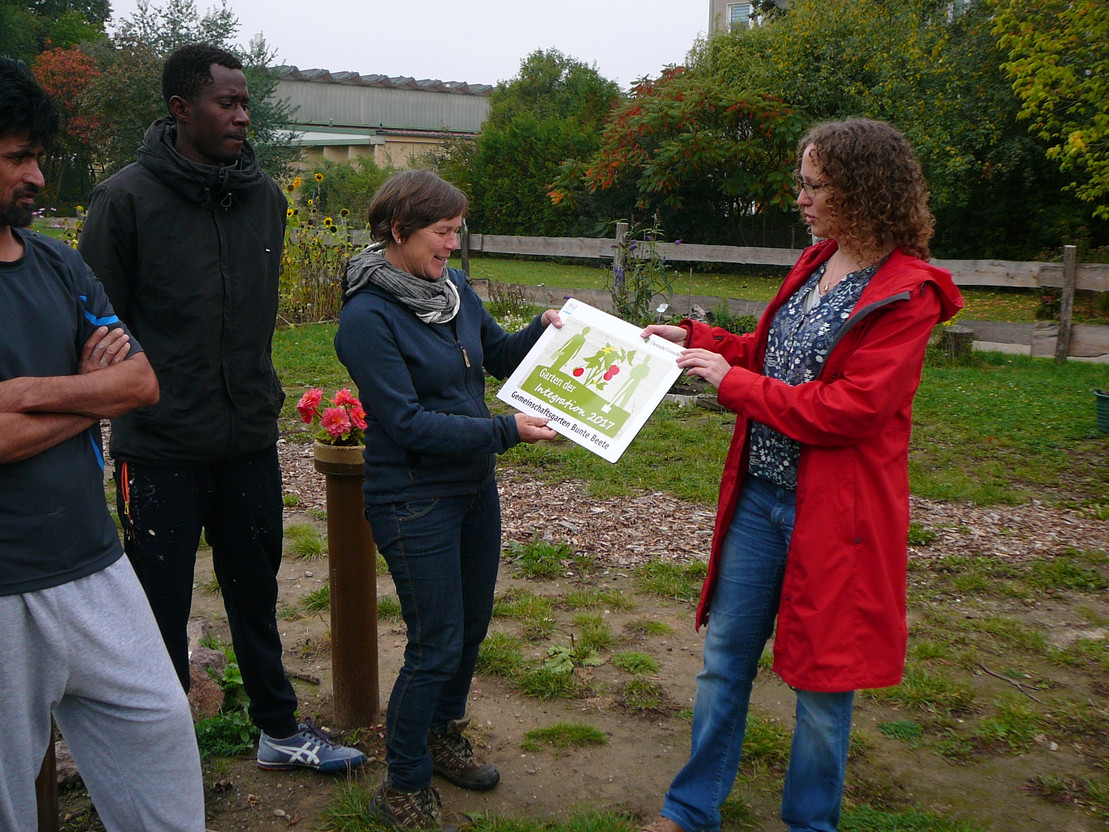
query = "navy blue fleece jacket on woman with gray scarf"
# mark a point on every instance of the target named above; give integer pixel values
(429, 431)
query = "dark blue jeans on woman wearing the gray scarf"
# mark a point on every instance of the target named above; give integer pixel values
(443, 554)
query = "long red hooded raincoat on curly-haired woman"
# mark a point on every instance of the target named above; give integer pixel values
(842, 624)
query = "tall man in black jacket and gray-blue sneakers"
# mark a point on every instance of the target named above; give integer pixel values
(188, 242)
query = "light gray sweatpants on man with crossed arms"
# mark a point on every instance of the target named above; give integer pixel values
(90, 653)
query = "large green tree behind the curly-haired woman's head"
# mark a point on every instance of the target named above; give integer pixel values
(938, 77)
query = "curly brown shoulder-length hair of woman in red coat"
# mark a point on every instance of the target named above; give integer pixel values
(879, 192)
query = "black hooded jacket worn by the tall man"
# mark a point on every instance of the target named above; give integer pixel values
(190, 256)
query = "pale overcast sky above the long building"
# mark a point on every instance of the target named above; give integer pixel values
(480, 43)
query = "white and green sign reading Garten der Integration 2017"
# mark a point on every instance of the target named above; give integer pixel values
(596, 380)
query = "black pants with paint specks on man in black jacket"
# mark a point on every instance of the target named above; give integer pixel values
(238, 505)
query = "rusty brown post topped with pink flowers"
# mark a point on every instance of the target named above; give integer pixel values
(353, 579)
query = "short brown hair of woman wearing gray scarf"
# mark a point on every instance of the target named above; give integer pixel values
(413, 200)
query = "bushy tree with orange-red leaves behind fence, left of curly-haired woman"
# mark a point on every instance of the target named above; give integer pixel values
(704, 159)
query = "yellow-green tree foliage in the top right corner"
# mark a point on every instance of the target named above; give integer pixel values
(1059, 62)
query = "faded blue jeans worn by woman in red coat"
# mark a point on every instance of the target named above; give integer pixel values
(741, 620)
